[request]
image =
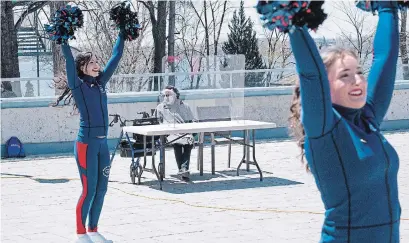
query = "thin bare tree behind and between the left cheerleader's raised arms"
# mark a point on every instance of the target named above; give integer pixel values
(99, 35)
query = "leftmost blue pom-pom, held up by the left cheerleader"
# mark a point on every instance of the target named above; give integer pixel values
(63, 25)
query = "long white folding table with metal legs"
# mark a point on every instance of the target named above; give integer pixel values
(162, 130)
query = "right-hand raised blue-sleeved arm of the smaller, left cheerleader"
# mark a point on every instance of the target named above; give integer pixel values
(114, 60)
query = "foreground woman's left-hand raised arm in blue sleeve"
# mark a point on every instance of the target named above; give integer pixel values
(317, 114)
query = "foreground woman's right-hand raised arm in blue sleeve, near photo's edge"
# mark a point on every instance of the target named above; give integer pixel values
(381, 79)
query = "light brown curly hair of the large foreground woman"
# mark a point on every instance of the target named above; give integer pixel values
(329, 56)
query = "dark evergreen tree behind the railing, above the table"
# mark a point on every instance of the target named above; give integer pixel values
(242, 40)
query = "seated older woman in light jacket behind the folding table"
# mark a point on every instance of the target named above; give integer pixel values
(173, 110)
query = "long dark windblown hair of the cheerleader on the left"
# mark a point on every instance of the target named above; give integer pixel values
(61, 82)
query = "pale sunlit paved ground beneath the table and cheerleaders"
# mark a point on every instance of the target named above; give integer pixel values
(39, 198)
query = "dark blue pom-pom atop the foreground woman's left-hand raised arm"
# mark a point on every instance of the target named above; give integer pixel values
(288, 15)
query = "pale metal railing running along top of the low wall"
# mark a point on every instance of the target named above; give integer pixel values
(123, 83)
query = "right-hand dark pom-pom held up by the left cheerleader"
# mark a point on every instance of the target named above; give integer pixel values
(125, 20)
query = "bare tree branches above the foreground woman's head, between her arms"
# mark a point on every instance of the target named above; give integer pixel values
(361, 37)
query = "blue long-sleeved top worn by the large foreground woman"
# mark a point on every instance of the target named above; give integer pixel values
(354, 166)
